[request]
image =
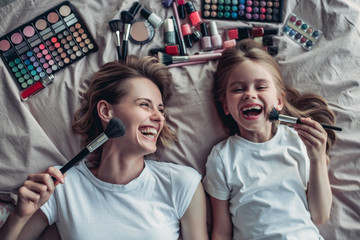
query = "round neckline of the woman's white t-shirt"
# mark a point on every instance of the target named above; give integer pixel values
(137, 182)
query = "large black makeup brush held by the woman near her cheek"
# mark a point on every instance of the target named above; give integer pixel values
(114, 129)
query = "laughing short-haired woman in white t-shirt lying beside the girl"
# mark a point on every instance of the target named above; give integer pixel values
(121, 195)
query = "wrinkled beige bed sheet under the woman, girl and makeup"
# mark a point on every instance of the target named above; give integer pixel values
(37, 133)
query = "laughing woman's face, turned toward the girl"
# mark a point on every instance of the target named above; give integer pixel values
(142, 112)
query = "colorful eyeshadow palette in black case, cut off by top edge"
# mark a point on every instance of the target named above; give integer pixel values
(244, 10)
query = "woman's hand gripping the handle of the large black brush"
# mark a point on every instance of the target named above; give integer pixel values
(36, 191)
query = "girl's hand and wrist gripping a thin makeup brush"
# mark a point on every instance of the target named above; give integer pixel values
(314, 137)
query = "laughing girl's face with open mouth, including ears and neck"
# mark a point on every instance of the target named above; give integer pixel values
(250, 96)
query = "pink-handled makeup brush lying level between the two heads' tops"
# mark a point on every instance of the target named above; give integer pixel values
(168, 59)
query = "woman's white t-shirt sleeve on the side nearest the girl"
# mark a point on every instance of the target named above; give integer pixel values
(185, 181)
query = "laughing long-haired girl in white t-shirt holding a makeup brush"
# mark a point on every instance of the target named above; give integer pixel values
(267, 181)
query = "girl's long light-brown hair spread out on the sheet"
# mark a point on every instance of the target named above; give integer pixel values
(295, 103)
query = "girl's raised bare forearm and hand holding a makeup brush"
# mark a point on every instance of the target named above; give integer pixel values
(319, 191)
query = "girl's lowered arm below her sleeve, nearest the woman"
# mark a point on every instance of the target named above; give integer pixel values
(222, 225)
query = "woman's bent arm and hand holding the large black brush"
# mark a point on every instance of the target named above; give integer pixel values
(27, 221)
